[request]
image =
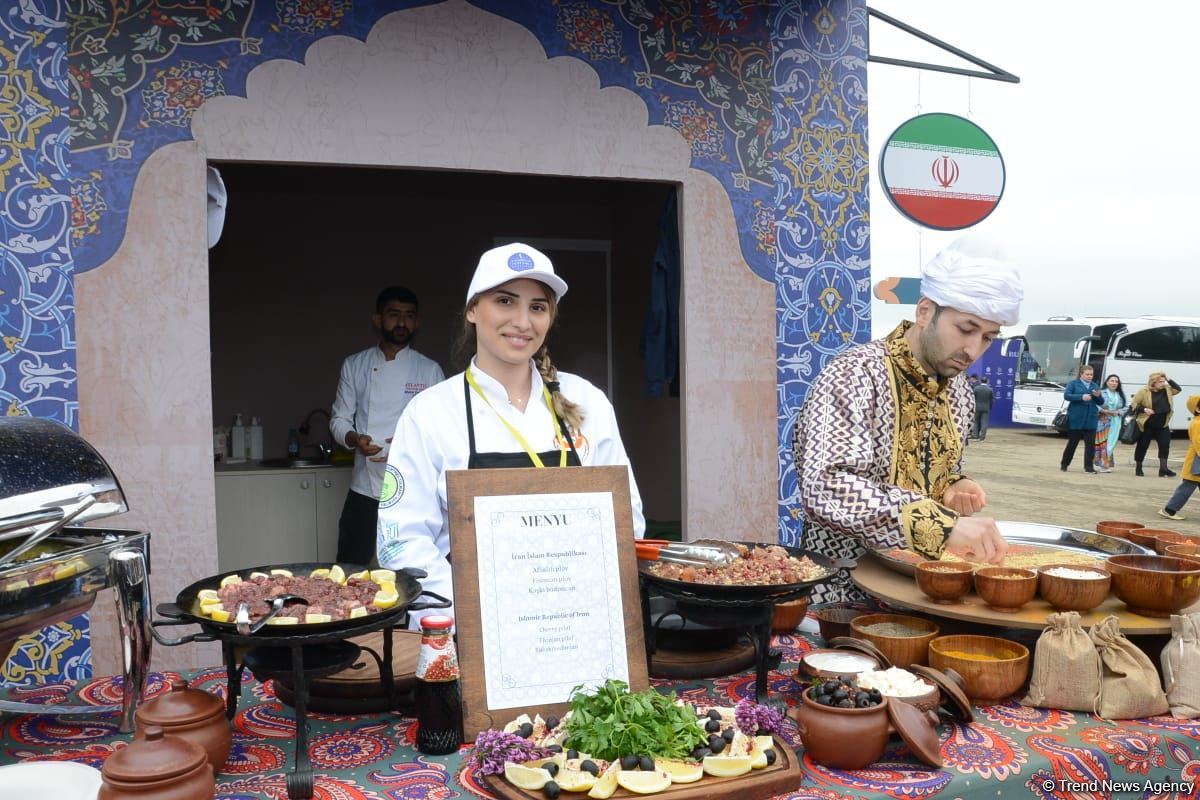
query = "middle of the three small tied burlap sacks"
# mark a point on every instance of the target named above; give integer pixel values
(1130, 685)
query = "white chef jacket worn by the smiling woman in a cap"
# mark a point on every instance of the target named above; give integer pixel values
(431, 438)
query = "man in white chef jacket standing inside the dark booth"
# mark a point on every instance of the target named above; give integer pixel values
(374, 389)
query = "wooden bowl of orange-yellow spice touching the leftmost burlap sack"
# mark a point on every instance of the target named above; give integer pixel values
(992, 669)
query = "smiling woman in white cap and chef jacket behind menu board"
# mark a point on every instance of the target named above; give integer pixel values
(511, 408)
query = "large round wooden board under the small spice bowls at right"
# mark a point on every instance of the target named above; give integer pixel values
(878, 580)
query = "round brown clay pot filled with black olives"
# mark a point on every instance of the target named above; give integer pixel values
(845, 739)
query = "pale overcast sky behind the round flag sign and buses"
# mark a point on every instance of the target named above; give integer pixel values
(1102, 202)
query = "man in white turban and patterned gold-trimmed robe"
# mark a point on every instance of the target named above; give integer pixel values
(879, 444)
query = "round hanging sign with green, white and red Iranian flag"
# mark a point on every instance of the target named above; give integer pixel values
(943, 172)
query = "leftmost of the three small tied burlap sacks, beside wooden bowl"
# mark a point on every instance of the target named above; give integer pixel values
(1066, 667)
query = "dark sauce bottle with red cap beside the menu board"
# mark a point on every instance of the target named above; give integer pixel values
(439, 696)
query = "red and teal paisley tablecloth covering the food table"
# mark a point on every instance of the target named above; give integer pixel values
(1009, 751)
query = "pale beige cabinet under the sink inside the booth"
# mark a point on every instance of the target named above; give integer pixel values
(279, 516)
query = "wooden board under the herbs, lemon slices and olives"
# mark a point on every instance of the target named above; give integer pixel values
(781, 778)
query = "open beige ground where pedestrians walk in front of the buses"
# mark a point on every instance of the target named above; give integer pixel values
(1019, 470)
